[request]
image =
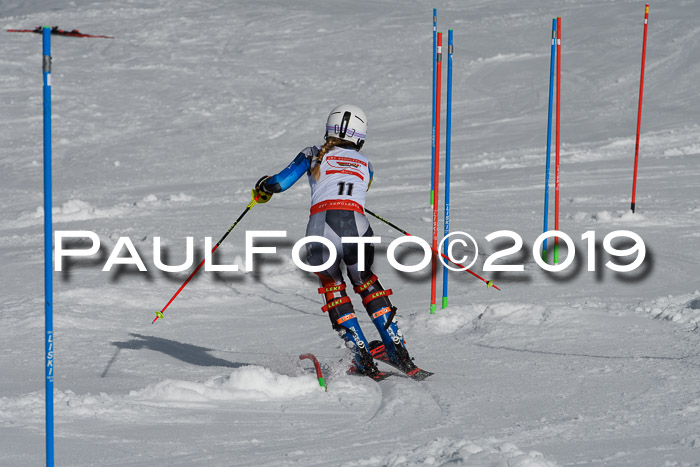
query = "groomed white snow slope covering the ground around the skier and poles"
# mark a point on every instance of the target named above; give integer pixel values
(162, 131)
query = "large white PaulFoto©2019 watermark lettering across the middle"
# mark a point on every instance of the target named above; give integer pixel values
(125, 253)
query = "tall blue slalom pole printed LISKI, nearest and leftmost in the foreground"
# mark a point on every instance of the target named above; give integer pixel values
(48, 246)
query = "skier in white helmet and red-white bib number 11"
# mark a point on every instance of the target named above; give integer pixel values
(339, 176)
